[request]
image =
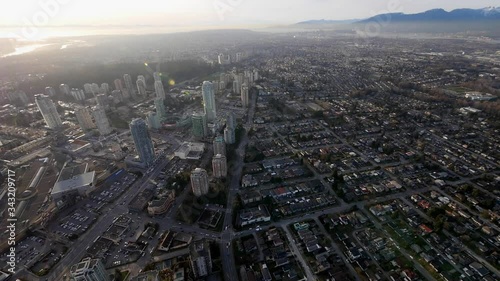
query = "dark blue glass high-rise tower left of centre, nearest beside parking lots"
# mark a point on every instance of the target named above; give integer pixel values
(142, 141)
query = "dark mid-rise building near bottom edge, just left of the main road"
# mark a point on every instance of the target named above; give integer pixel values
(200, 258)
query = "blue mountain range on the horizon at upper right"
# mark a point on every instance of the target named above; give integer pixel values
(440, 15)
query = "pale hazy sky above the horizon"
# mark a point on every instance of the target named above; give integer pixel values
(209, 12)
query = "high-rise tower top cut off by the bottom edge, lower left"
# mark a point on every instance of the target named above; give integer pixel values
(89, 270)
